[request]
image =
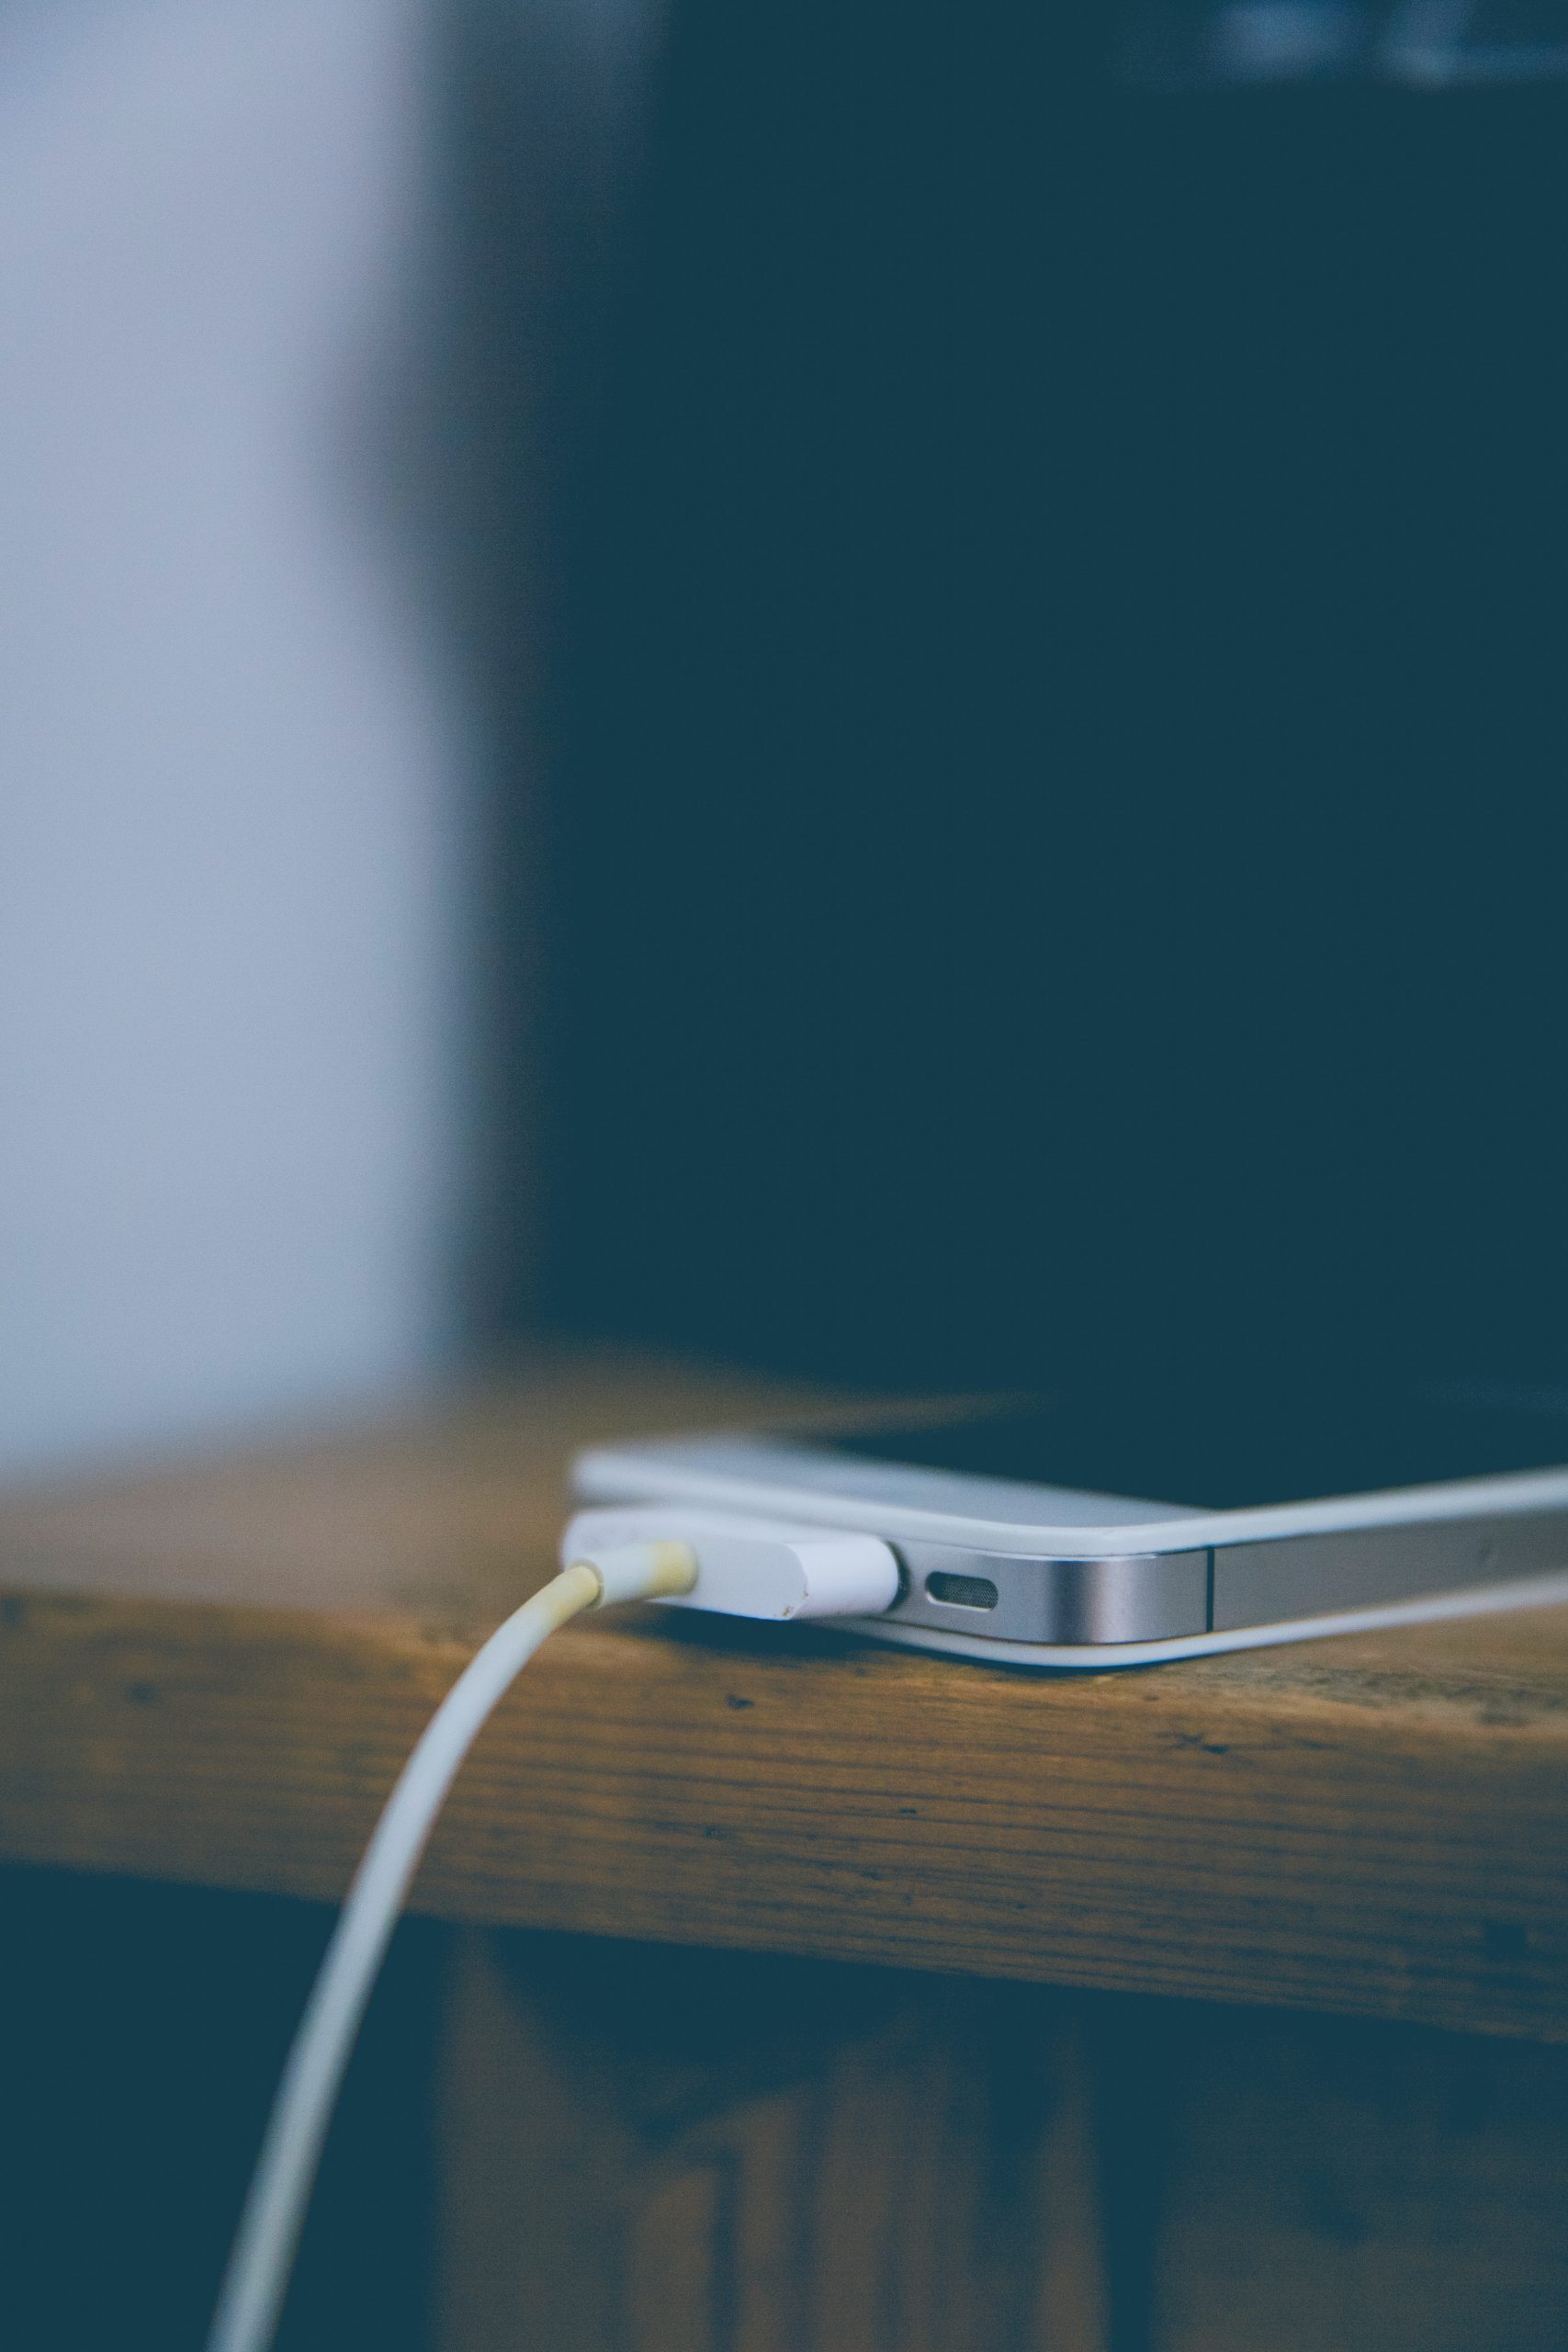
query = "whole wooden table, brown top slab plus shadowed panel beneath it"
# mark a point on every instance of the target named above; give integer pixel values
(883, 2003)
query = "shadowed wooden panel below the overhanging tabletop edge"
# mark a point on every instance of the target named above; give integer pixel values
(723, 2153)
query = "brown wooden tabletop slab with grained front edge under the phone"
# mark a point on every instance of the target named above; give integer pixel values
(215, 1673)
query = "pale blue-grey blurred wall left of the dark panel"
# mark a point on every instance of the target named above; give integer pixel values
(232, 806)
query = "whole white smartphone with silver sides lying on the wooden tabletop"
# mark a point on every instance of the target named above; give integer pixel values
(1090, 1528)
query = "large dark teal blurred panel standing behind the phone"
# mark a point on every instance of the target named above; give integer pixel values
(1057, 829)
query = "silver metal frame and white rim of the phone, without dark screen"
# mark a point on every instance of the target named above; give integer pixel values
(1104, 1582)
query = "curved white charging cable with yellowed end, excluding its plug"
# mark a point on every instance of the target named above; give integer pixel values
(276, 2203)
